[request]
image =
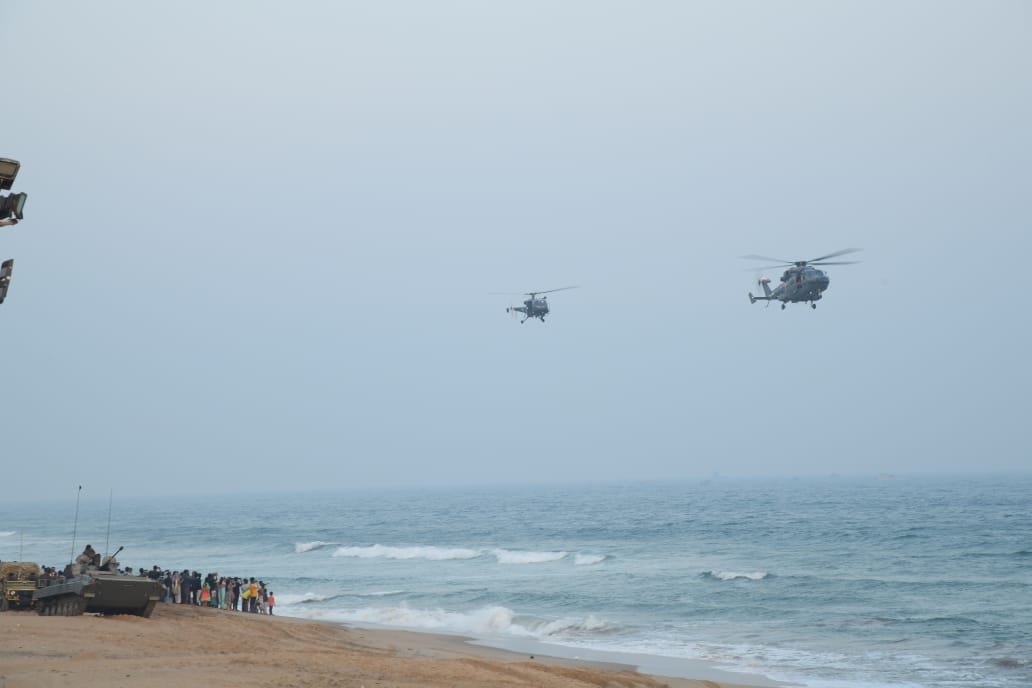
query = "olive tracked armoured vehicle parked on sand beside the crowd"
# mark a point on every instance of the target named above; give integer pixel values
(99, 592)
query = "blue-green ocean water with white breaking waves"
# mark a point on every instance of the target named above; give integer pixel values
(911, 582)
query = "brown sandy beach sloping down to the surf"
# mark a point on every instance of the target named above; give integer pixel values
(187, 646)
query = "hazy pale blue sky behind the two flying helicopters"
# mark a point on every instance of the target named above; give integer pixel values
(263, 242)
